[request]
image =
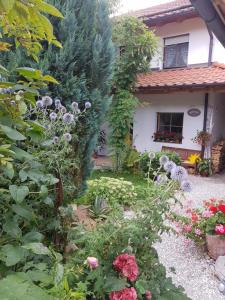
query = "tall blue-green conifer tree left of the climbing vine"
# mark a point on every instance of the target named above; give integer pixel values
(84, 69)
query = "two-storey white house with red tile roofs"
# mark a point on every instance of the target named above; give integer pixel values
(185, 91)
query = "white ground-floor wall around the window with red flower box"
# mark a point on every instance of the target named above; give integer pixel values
(145, 119)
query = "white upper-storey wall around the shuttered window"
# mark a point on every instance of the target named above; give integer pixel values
(198, 42)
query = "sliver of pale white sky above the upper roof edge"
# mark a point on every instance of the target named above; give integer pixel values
(128, 5)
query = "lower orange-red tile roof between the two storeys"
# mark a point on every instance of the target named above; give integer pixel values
(213, 75)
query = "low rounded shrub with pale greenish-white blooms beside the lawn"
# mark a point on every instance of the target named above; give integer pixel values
(112, 190)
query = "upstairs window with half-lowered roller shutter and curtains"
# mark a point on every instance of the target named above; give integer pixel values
(176, 51)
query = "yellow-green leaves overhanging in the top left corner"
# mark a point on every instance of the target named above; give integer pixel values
(18, 20)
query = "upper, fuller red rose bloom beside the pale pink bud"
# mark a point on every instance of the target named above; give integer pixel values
(126, 265)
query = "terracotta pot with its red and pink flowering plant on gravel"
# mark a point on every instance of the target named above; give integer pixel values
(206, 226)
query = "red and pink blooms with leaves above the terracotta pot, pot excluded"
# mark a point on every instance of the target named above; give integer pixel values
(210, 219)
